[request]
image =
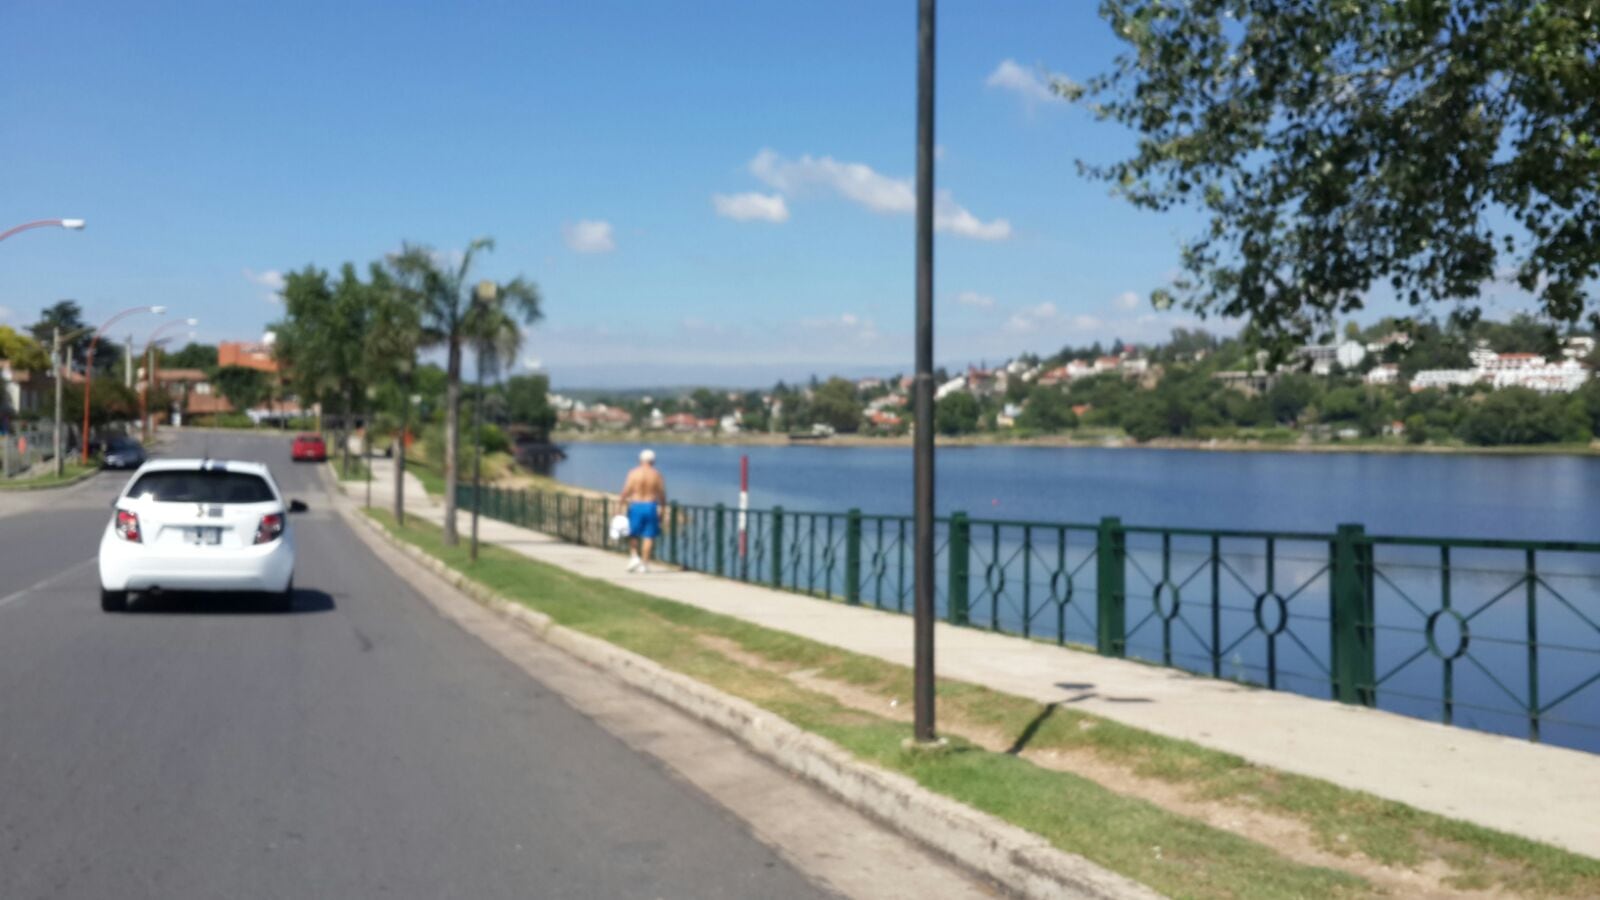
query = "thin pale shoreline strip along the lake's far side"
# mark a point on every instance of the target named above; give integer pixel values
(1063, 441)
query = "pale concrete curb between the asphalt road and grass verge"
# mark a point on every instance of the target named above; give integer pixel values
(1025, 862)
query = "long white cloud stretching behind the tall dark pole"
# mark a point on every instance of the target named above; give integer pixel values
(868, 188)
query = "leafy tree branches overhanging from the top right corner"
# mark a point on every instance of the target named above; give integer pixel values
(1346, 145)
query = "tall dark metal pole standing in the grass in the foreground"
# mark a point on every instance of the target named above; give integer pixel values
(922, 446)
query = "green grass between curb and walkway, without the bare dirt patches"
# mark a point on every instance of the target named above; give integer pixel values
(1343, 821)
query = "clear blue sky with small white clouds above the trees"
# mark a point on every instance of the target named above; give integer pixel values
(706, 193)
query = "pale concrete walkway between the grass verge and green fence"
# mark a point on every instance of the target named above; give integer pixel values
(1538, 792)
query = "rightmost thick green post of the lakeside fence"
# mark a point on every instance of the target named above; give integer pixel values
(1354, 656)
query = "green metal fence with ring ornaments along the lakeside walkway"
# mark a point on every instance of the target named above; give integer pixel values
(1502, 637)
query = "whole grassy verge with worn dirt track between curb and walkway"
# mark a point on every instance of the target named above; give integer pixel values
(1183, 819)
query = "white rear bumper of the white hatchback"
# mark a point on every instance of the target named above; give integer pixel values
(140, 568)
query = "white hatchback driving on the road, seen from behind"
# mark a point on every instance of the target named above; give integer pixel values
(199, 526)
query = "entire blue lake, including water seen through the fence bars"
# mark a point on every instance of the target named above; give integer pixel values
(1452, 629)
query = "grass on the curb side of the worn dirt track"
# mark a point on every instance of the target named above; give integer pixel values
(1170, 853)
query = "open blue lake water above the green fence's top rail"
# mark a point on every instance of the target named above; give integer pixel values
(1452, 496)
